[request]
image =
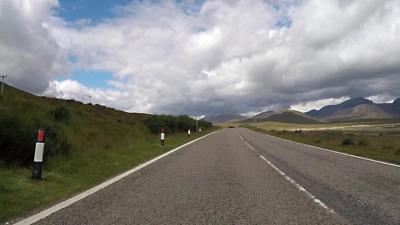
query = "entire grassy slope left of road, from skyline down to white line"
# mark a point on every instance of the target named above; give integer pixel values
(85, 144)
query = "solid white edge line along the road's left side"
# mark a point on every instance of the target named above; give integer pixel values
(68, 202)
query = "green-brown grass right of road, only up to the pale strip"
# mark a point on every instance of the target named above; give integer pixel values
(374, 144)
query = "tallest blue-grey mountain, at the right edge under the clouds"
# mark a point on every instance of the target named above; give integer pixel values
(357, 108)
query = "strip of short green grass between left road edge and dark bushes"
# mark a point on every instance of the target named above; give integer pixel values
(65, 176)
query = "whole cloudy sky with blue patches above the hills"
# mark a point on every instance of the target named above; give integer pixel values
(203, 57)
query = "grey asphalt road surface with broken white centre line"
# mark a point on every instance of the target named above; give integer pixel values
(238, 176)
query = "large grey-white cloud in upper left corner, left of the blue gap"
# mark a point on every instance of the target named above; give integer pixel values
(29, 54)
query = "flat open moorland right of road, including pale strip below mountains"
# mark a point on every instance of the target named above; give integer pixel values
(375, 140)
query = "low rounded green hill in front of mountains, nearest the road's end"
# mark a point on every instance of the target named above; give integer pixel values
(289, 116)
